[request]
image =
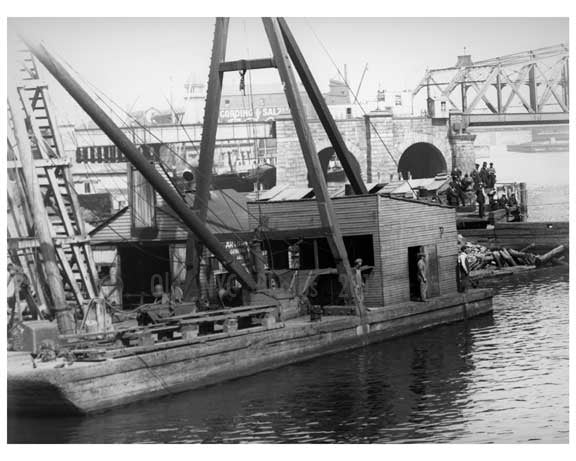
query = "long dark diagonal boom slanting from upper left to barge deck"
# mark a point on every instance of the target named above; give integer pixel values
(131, 152)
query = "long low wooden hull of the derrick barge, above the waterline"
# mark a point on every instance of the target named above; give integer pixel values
(92, 387)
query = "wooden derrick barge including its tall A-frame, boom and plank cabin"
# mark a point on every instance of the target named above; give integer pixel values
(300, 296)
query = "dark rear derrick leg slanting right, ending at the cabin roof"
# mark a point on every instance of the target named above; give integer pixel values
(322, 110)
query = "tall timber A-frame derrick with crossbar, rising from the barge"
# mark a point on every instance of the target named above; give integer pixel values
(286, 54)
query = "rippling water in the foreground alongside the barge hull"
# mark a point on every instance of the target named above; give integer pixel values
(499, 378)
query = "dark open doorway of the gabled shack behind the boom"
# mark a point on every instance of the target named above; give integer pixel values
(142, 267)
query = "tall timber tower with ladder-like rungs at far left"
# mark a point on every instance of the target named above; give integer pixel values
(46, 231)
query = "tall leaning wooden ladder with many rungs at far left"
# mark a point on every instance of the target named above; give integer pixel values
(57, 187)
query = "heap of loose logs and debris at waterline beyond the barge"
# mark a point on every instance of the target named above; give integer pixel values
(480, 257)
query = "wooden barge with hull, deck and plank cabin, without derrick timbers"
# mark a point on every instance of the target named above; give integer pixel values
(278, 332)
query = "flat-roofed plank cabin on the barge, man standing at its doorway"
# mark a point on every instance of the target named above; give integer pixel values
(386, 233)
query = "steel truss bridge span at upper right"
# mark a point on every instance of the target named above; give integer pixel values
(531, 87)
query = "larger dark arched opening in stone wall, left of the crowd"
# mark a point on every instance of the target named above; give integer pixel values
(422, 160)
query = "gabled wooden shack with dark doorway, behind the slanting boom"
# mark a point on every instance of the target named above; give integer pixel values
(131, 257)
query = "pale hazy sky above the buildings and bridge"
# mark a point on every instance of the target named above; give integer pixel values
(144, 62)
